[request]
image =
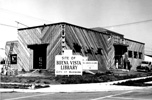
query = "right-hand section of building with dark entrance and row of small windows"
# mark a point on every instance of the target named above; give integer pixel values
(126, 50)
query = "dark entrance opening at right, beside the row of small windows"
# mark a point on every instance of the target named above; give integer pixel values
(120, 55)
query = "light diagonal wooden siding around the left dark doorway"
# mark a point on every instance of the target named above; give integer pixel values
(46, 34)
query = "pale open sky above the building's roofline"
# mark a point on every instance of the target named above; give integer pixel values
(132, 18)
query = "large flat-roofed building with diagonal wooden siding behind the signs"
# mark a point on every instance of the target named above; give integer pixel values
(37, 46)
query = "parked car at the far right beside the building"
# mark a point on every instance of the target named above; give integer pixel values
(144, 66)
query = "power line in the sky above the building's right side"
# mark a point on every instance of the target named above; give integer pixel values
(126, 24)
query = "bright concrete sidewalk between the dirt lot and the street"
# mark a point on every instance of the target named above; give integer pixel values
(92, 87)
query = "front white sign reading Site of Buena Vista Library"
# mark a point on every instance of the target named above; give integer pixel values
(68, 65)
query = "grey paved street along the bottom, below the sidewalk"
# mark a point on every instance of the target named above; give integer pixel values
(142, 94)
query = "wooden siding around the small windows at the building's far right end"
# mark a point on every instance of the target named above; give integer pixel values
(135, 47)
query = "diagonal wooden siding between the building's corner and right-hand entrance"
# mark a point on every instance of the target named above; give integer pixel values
(91, 40)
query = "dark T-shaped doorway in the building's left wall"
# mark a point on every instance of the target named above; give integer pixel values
(39, 55)
